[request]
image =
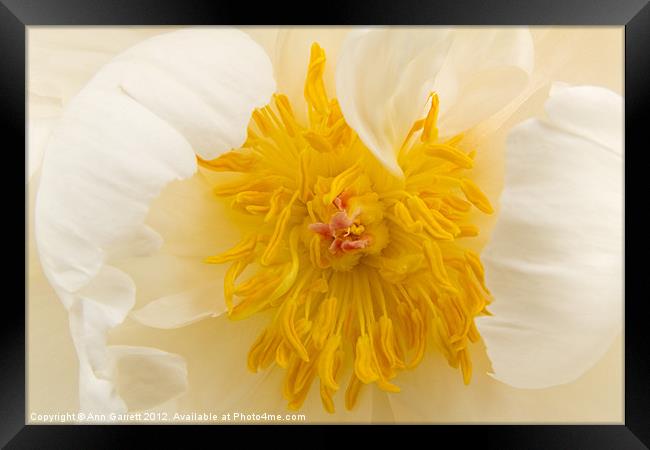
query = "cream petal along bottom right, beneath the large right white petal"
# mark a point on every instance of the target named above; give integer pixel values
(434, 392)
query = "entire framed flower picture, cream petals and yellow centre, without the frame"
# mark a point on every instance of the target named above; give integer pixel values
(366, 225)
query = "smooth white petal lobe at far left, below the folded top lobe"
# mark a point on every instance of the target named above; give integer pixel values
(99, 173)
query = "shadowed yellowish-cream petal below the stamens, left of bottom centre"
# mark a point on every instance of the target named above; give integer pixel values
(219, 380)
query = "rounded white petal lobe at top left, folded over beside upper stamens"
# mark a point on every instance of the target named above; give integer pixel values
(207, 94)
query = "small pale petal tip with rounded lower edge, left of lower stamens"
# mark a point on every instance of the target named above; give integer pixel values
(185, 308)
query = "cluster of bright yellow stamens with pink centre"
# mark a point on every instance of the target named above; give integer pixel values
(361, 270)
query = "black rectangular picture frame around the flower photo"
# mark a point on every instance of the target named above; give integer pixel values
(16, 15)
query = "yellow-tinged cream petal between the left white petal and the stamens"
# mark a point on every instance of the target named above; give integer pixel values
(194, 224)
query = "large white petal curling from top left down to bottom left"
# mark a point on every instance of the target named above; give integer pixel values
(116, 146)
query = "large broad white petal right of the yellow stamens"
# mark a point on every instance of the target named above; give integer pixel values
(554, 263)
